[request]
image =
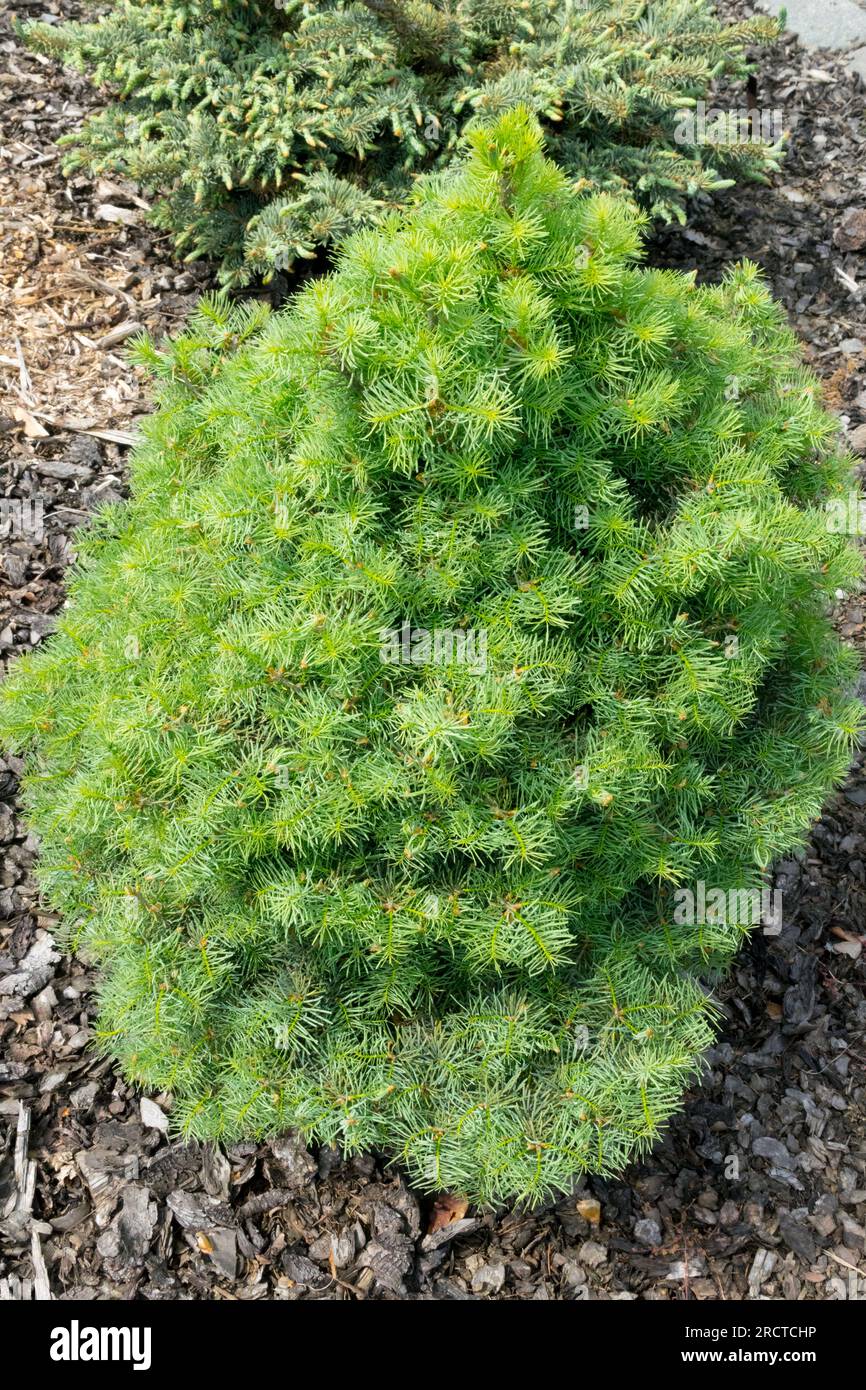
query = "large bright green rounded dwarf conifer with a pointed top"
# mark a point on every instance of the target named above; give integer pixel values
(427, 906)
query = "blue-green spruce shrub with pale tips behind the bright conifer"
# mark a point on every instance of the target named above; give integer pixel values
(269, 131)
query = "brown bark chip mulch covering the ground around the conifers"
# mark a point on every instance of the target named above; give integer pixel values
(758, 1189)
